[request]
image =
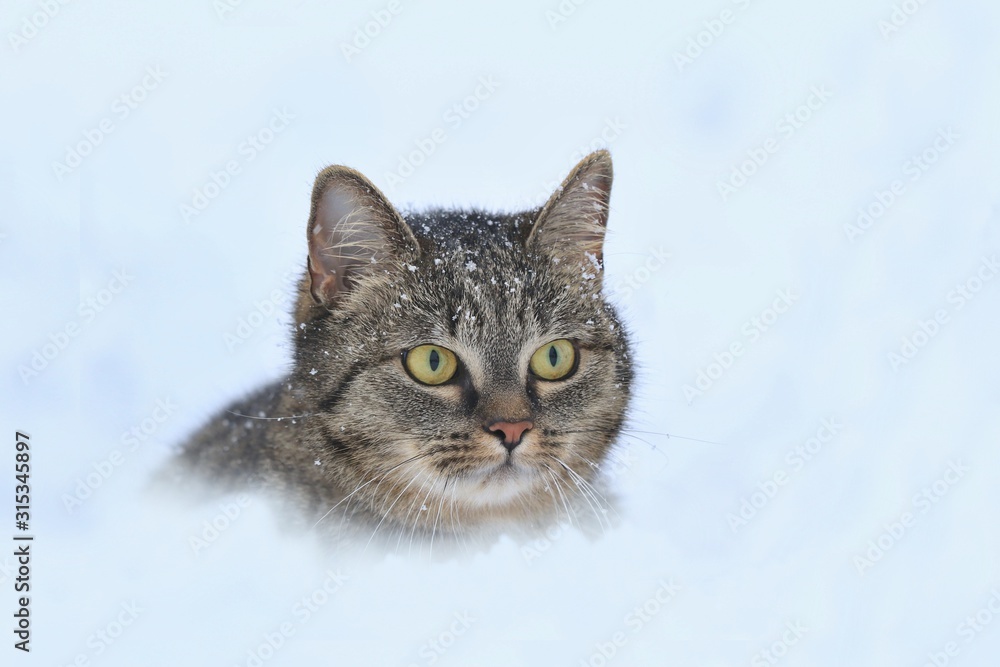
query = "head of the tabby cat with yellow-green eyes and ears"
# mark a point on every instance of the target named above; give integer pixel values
(462, 366)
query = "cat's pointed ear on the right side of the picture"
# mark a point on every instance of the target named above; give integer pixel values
(572, 223)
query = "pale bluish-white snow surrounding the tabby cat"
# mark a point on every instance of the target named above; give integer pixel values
(690, 267)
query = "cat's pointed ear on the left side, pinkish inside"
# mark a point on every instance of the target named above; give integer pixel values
(353, 230)
